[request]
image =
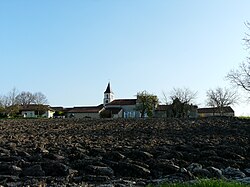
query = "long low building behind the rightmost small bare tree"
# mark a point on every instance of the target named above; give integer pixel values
(215, 111)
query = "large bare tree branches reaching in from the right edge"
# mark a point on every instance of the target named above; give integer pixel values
(241, 77)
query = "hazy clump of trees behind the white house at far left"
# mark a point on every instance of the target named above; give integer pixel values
(10, 103)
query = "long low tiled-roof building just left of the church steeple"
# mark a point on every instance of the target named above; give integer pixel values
(85, 112)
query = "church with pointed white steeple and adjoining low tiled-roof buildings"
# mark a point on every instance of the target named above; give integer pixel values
(110, 108)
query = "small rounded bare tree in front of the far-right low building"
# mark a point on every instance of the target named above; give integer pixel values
(221, 98)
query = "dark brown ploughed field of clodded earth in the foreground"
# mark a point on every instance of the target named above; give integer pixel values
(63, 152)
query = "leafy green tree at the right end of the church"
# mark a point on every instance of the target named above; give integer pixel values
(146, 103)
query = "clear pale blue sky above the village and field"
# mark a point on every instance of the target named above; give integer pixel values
(70, 50)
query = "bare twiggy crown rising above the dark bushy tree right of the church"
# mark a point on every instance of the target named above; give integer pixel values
(184, 95)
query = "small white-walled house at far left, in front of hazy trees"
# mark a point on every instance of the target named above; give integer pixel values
(33, 111)
